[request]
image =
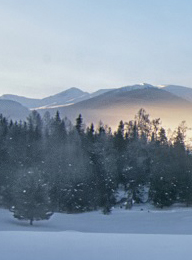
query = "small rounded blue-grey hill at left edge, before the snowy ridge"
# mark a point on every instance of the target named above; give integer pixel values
(13, 110)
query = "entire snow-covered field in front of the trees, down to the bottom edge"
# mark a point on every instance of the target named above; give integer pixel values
(135, 234)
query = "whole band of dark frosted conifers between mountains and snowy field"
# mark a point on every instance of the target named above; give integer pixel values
(47, 164)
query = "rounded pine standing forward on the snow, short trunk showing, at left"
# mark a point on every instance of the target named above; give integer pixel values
(31, 198)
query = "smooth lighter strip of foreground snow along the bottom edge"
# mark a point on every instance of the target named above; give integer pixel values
(86, 246)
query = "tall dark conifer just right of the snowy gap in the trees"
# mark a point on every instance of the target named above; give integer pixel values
(163, 181)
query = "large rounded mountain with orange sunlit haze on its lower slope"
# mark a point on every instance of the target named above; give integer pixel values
(124, 103)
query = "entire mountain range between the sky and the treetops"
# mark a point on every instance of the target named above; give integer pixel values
(110, 105)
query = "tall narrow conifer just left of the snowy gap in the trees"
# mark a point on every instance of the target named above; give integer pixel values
(105, 171)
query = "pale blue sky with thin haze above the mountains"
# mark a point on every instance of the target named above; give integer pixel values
(48, 46)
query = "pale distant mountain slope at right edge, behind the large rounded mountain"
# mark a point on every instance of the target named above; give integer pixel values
(180, 91)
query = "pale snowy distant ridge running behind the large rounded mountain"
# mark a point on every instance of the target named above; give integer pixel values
(75, 95)
